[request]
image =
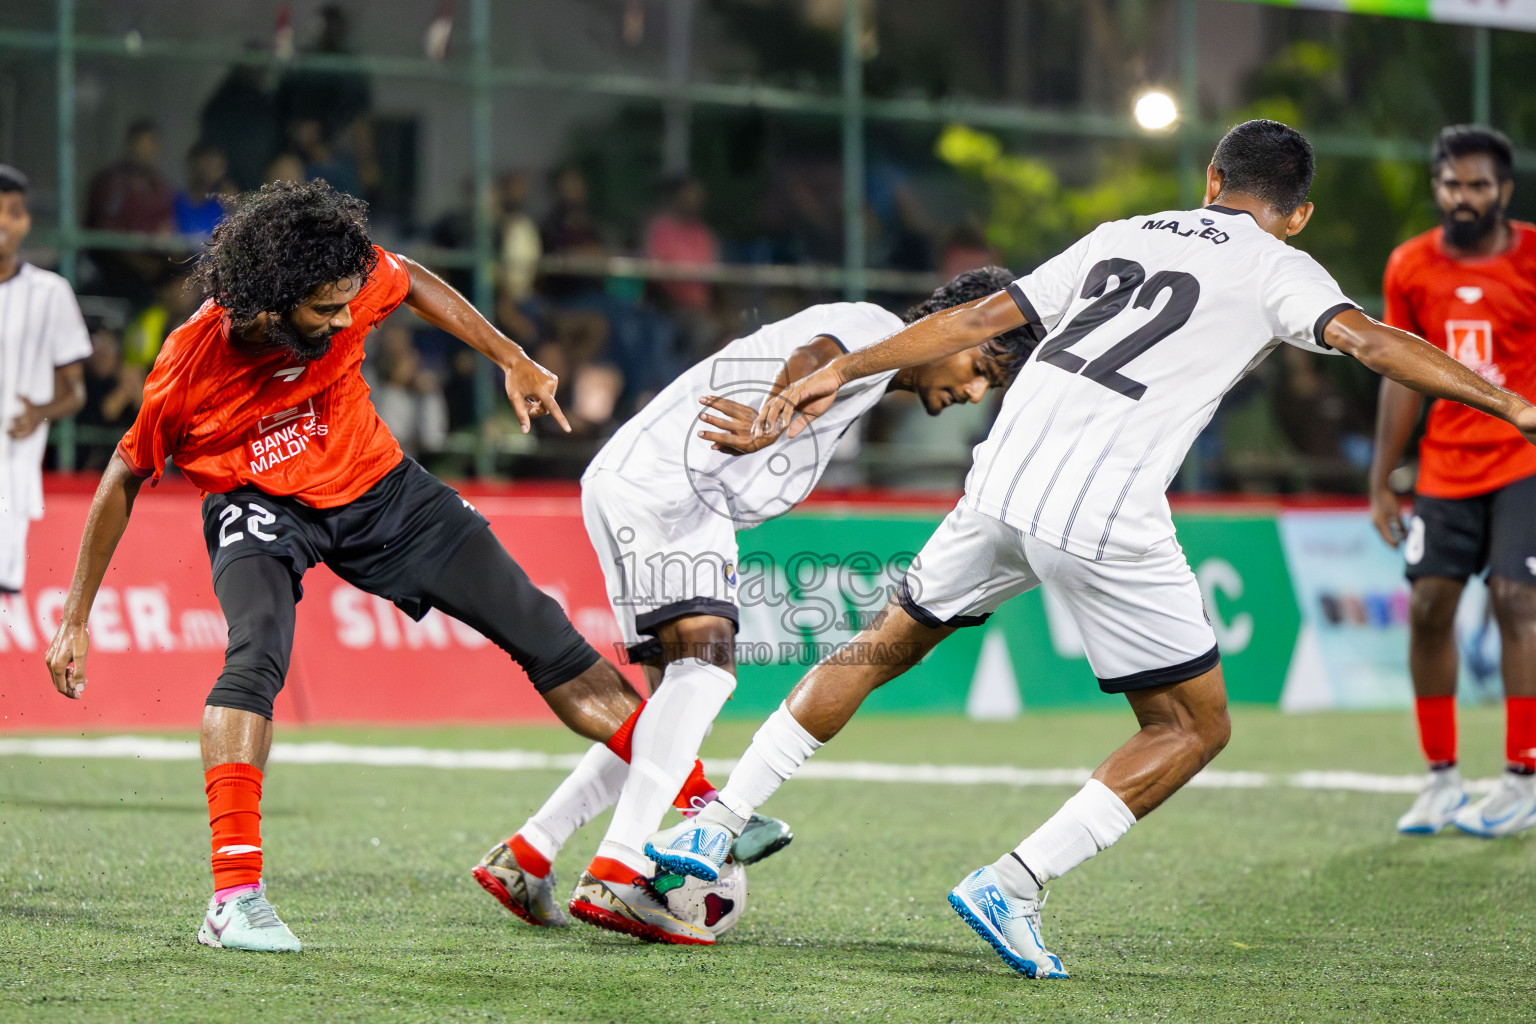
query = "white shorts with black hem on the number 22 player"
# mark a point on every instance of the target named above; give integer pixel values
(1144, 623)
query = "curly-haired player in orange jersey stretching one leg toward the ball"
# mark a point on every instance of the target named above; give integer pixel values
(260, 401)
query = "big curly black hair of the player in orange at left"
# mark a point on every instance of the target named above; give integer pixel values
(280, 243)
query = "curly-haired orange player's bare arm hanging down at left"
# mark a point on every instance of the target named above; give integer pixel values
(105, 526)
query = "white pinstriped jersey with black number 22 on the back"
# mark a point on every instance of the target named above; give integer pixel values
(1151, 322)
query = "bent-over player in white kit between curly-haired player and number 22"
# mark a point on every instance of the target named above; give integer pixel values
(663, 503)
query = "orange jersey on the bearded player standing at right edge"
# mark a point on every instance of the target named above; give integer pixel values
(1483, 312)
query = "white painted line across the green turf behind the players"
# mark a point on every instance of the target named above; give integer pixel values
(154, 750)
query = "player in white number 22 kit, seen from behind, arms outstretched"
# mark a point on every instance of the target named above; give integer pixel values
(1150, 322)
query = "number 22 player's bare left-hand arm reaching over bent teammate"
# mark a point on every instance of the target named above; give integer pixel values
(935, 337)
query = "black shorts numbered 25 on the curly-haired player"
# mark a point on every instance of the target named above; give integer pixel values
(389, 543)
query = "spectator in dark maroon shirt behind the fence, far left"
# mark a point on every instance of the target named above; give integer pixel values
(131, 196)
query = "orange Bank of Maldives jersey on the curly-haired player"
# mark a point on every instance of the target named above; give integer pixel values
(231, 418)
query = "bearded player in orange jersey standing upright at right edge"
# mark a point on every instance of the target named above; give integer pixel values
(1471, 288)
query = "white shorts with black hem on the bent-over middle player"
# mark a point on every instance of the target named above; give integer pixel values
(664, 555)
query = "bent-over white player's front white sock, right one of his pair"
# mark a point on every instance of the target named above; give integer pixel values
(666, 745)
